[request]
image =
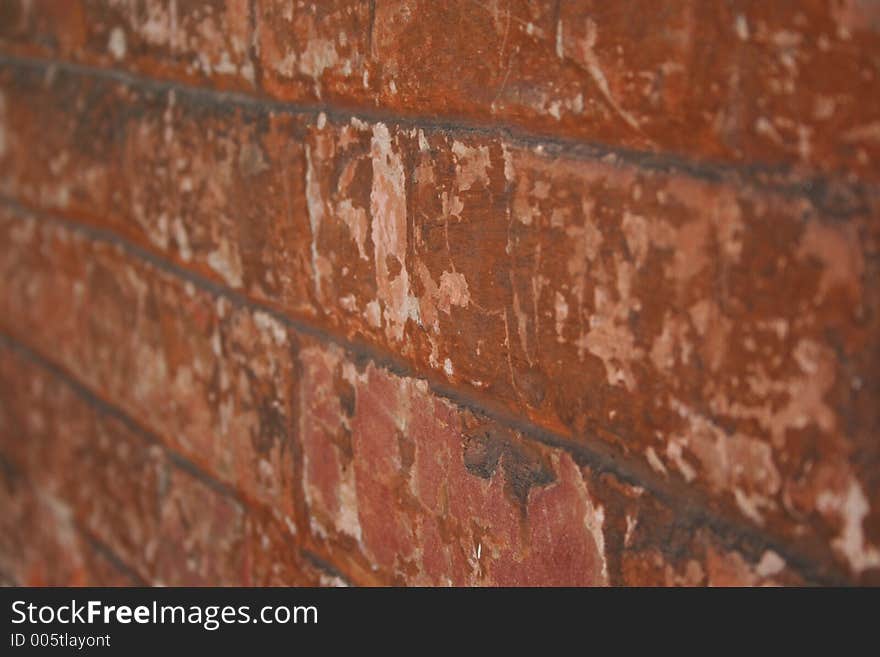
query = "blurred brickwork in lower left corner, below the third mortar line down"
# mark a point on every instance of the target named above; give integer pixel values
(169, 524)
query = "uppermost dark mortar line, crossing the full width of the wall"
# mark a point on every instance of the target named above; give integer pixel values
(785, 180)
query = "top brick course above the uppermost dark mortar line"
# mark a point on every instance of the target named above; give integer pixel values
(747, 82)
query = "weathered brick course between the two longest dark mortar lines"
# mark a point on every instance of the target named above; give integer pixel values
(724, 335)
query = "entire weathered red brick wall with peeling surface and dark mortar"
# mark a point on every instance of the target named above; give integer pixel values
(413, 292)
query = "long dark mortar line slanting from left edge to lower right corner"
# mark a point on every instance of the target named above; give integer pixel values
(730, 528)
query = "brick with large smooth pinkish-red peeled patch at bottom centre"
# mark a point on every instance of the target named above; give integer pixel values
(400, 490)
